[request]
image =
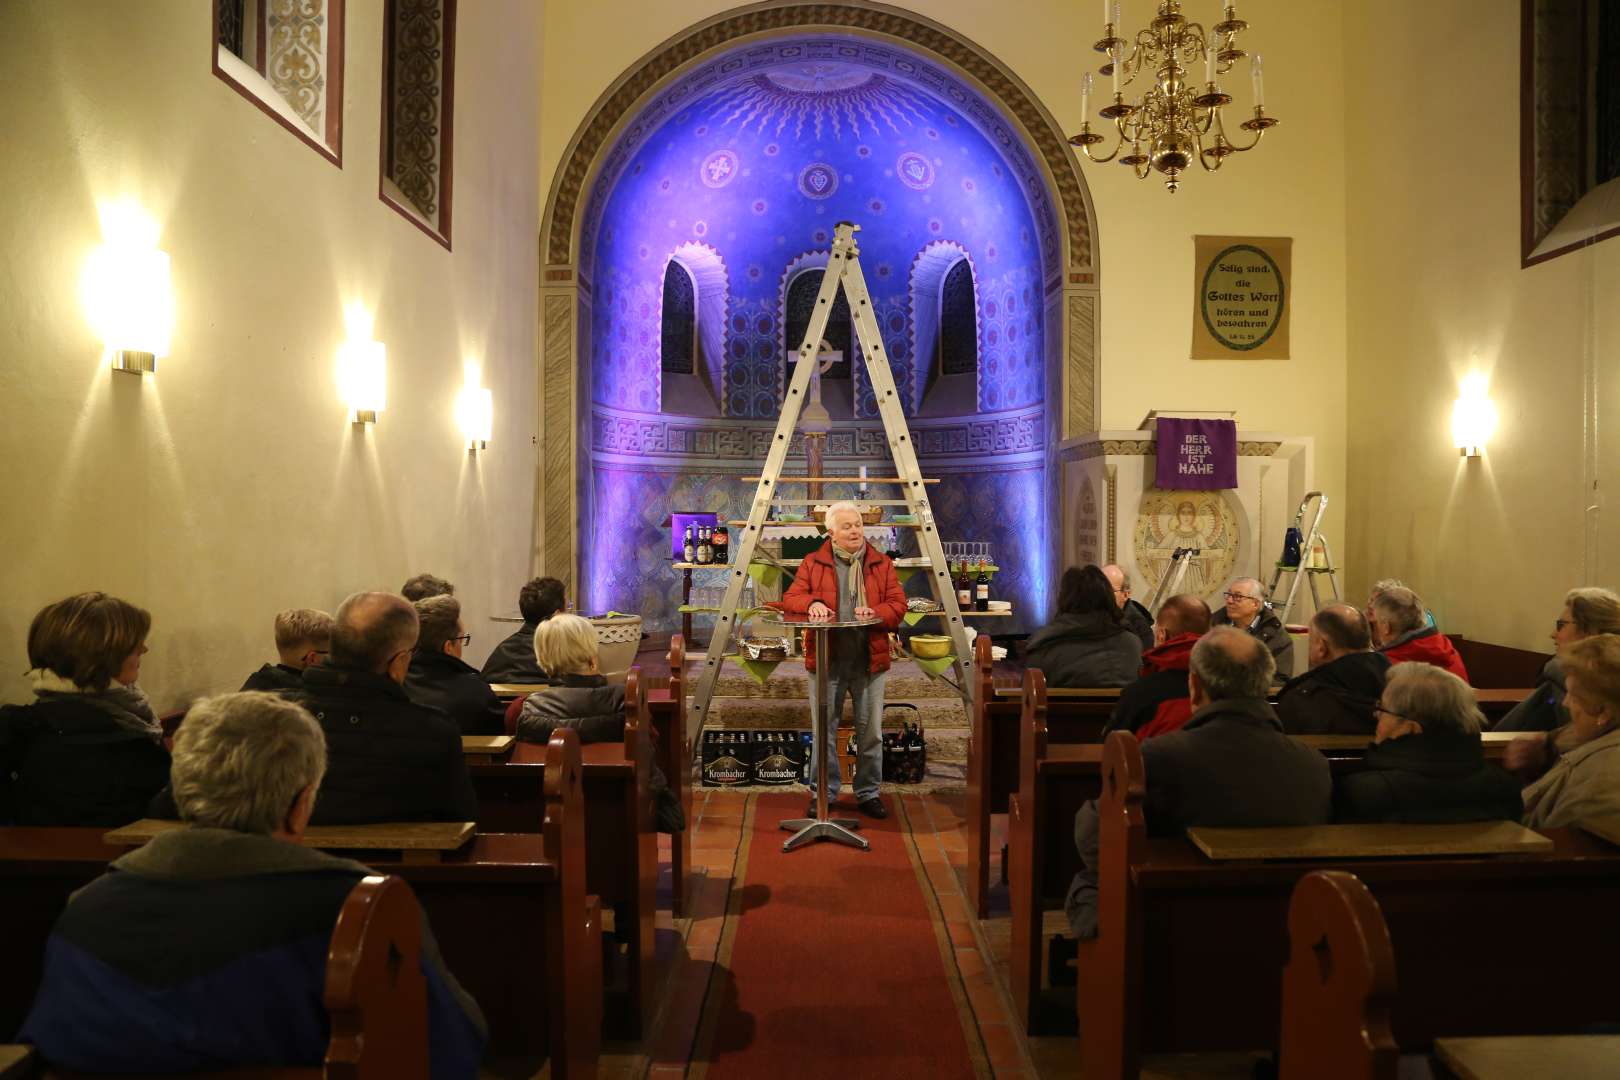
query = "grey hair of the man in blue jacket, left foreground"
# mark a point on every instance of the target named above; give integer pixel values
(242, 759)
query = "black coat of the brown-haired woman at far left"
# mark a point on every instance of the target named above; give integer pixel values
(67, 763)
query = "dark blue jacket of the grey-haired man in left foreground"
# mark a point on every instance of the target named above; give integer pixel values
(207, 950)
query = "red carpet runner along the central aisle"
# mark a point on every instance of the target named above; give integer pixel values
(833, 963)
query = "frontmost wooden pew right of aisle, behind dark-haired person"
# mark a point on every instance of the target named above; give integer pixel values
(1075, 716)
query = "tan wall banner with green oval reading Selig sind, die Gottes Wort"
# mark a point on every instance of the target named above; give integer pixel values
(1243, 289)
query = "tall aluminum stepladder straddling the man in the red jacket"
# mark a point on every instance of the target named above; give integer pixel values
(843, 271)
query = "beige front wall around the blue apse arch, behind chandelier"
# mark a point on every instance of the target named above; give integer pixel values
(1292, 187)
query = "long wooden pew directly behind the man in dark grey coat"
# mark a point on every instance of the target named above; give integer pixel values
(1190, 951)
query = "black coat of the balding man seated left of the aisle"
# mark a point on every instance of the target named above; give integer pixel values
(386, 757)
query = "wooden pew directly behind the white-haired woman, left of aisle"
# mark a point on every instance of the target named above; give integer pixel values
(621, 849)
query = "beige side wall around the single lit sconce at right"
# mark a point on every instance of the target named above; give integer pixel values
(1436, 291)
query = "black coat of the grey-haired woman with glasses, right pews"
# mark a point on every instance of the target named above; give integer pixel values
(1428, 780)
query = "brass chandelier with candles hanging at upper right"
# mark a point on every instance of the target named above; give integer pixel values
(1175, 121)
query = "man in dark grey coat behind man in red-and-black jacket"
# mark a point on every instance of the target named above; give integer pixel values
(1232, 765)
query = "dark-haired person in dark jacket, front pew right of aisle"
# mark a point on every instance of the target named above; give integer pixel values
(1088, 645)
